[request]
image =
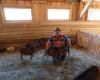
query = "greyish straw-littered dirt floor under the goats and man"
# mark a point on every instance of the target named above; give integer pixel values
(12, 68)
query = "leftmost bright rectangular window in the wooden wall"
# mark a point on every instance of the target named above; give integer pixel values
(15, 14)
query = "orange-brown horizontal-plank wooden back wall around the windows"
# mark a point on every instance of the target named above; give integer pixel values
(19, 33)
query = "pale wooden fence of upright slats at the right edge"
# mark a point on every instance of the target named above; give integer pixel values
(89, 41)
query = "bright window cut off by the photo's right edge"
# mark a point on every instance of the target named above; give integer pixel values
(94, 14)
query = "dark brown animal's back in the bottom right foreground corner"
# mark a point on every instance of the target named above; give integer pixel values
(92, 73)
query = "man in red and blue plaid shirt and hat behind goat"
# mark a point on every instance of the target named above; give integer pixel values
(58, 39)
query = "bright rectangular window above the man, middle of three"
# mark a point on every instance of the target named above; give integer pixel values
(58, 14)
